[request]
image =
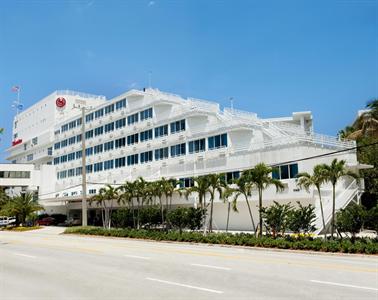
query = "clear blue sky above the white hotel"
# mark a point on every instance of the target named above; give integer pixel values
(272, 57)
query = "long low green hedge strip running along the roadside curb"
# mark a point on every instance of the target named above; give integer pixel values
(361, 245)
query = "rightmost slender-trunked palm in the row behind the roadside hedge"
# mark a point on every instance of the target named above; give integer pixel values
(332, 173)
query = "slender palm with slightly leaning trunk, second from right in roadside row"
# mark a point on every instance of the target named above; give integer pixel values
(305, 180)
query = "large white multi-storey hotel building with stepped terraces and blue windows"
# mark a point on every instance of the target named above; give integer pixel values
(154, 134)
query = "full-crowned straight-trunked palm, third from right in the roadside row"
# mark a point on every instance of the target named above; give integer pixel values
(260, 177)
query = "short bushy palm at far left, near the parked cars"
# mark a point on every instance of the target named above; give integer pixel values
(21, 207)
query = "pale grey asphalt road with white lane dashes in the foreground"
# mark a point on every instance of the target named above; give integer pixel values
(45, 265)
